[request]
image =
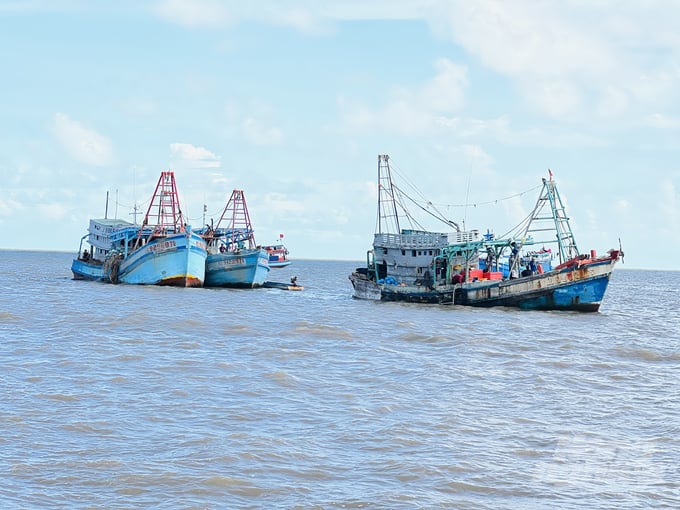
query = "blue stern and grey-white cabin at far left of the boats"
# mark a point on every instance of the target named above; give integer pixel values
(94, 248)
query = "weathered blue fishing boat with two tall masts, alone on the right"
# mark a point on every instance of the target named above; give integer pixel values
(466, 268)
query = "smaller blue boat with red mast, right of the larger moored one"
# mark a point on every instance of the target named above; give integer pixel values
(234, 259)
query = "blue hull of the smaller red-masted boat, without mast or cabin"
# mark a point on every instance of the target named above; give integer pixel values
(248, 268)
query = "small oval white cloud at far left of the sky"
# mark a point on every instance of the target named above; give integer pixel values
(83, 144)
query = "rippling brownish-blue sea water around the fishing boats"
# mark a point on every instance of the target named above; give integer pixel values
(121, 396)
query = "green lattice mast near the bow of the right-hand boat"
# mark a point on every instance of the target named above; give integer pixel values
(558, 221)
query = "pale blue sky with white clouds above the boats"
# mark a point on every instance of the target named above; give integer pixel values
(292, 101)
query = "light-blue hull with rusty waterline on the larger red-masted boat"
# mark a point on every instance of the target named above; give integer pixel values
(177, 260)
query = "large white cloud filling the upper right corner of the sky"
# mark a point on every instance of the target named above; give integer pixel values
(572, 58)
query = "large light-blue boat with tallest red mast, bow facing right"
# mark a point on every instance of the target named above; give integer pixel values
(164, 250)
